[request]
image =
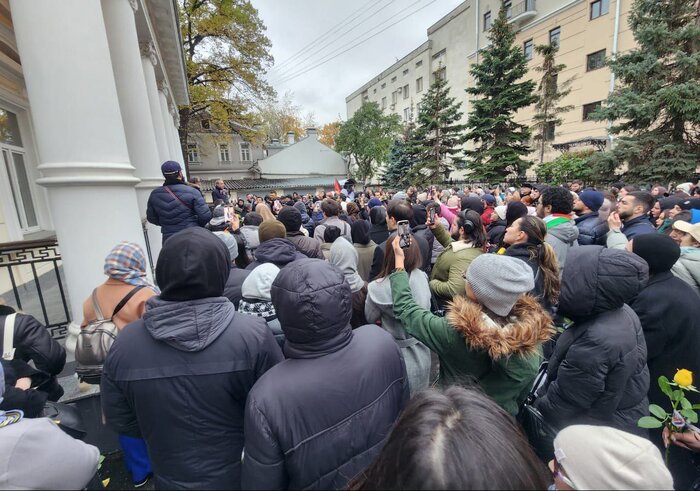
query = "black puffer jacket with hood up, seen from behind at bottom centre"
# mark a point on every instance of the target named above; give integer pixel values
(321, 416)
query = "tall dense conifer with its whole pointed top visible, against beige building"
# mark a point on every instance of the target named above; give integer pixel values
(498, 93)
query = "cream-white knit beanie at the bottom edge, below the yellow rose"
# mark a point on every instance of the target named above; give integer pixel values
(599, 457)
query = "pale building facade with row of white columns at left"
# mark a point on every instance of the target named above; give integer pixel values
(89, 91)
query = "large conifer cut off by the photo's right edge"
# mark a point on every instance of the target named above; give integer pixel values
(656, 105)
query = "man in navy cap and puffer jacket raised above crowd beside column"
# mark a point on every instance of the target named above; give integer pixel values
(176, 206)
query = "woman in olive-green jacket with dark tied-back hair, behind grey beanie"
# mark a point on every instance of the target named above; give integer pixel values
(467, 242)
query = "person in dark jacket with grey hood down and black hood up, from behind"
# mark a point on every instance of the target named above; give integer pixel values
(179, 377)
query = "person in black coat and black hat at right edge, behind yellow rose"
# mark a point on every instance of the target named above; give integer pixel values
(669, 311)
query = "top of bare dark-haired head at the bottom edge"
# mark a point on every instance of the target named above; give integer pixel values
(456, 439)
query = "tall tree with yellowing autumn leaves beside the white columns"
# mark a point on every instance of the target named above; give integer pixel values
(226, 55)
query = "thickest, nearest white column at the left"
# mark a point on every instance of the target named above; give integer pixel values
(84, 160)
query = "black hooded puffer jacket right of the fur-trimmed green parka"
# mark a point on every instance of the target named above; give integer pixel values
(598, 372)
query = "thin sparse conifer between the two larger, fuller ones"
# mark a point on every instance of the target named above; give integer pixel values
(550, 93)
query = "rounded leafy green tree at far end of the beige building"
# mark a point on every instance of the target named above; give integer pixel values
(367, 138)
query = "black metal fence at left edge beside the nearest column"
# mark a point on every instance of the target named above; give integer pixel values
(34, 271)
